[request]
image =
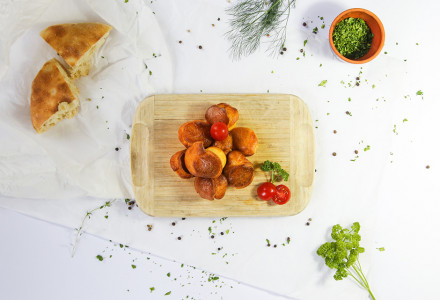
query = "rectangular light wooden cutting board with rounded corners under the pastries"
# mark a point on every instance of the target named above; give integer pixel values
(284, 129)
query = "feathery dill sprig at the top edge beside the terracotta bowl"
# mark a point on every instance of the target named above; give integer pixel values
(252, 20)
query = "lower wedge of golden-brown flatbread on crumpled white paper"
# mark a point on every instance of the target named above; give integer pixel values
(54, 97)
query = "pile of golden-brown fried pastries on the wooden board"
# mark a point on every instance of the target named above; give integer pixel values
(215, 164)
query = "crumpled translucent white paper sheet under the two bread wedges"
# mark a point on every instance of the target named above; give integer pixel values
(78, 157)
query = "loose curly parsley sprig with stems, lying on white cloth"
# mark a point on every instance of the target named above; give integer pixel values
(343, 253)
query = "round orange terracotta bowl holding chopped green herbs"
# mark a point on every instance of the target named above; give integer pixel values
(376, 28)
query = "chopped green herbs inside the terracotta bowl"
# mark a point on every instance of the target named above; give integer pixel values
(352, 38)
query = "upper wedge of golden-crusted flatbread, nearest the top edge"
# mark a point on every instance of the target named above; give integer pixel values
(76, 43)
